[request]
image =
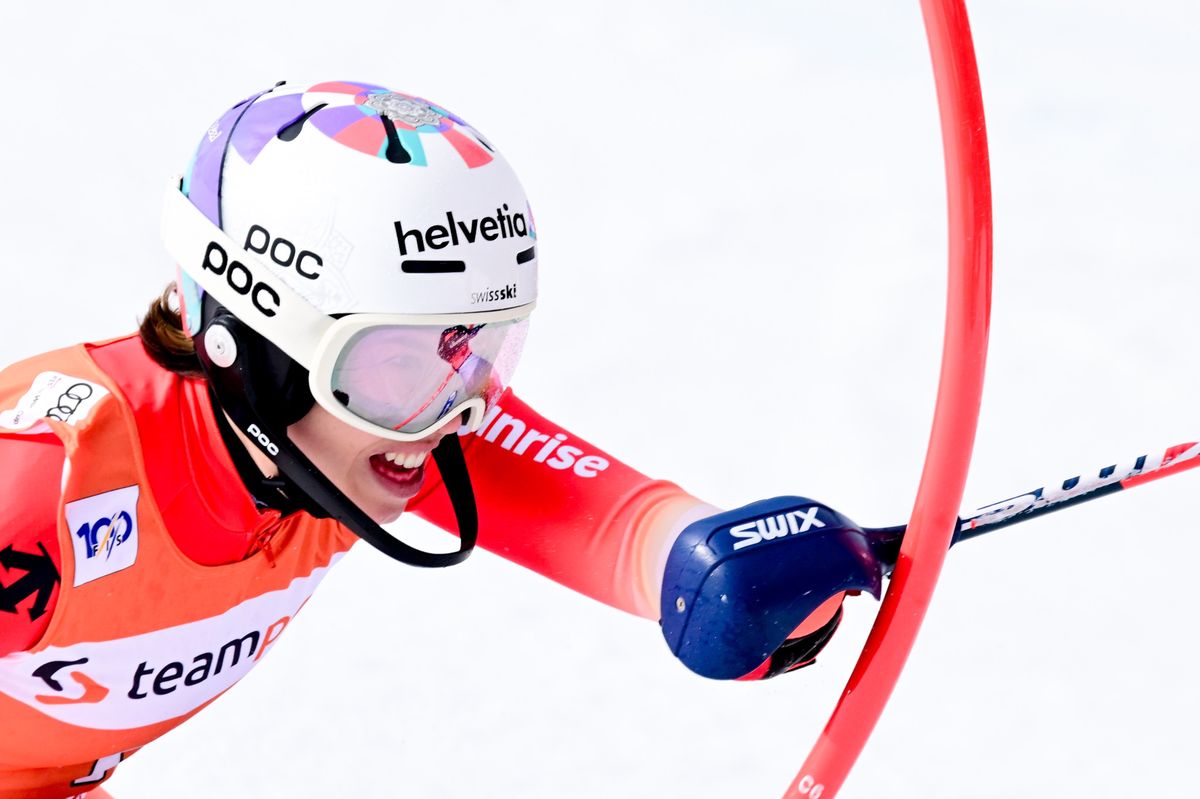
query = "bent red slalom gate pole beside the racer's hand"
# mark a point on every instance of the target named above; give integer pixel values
(956, 416)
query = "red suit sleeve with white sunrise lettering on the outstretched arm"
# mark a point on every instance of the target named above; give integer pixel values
(561, 507)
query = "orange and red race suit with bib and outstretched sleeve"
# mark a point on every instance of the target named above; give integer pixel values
(141, 579)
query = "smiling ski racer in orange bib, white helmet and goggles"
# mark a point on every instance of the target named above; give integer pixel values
(356, 274)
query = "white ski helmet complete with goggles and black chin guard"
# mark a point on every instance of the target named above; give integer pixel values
(361, 249)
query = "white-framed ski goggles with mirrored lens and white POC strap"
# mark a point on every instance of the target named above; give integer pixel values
(395, 376)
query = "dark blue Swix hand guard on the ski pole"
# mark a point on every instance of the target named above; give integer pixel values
(739, 584)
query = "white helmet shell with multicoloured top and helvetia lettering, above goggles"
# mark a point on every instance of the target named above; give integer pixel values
(367, 201)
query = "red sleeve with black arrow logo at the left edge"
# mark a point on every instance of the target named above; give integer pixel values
(31, 476)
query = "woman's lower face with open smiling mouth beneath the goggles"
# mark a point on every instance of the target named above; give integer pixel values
(370, 471)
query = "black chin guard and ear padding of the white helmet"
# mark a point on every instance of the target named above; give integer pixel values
(242, 398)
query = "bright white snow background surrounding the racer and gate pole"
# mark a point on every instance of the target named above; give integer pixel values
(742, 238)
